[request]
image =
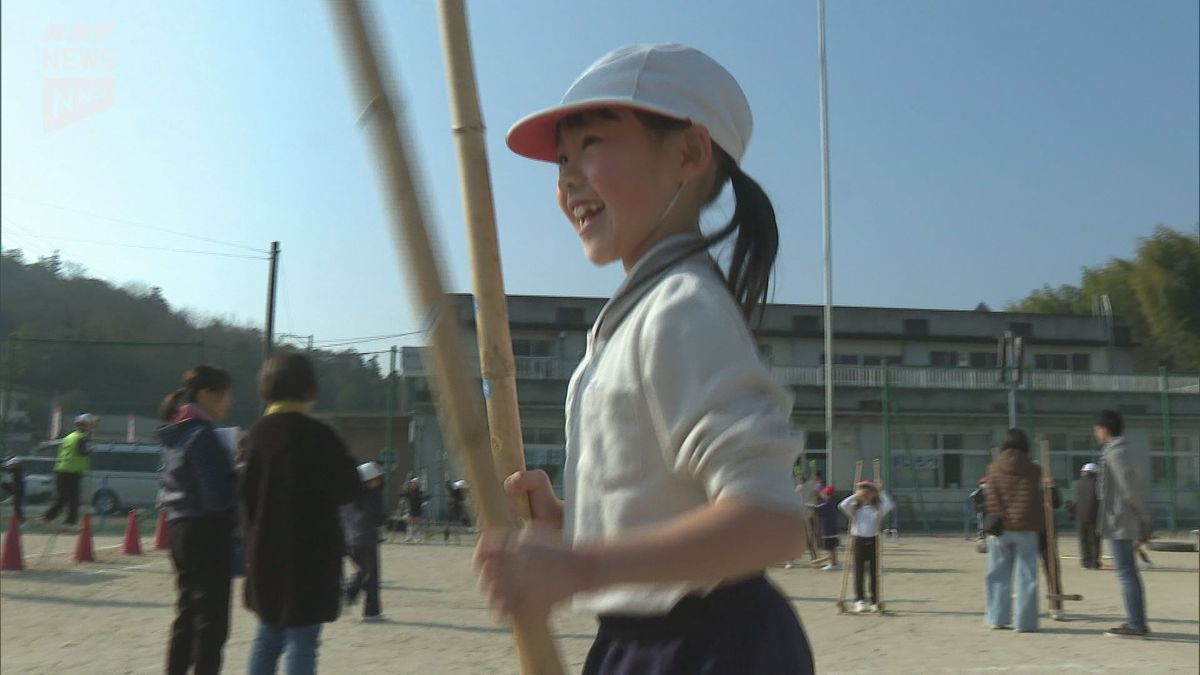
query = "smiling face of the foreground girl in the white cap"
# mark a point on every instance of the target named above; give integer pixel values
(616, 178)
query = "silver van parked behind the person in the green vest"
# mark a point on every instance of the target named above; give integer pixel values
(123, 475)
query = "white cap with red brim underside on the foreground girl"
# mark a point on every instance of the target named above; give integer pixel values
(670, 80)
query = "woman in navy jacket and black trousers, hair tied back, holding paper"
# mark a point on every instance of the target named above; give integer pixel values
(199, 492)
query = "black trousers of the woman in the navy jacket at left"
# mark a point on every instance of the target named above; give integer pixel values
(202, 549)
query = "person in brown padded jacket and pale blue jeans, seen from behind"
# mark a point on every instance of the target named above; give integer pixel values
(1015, 493)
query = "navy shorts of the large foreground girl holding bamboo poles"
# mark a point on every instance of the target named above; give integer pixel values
(746, 628)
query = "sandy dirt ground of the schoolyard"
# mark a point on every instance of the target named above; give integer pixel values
(112, 618)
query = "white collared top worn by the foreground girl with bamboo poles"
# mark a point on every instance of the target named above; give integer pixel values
(669, 411)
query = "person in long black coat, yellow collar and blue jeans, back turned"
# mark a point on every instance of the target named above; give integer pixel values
(296, 477)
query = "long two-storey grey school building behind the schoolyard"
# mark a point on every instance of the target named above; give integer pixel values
(917, 389)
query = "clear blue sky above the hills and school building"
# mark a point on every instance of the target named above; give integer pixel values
(979, 150)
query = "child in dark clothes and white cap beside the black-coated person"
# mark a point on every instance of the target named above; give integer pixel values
(362, 521)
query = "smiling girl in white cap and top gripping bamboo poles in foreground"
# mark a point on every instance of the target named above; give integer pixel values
(679, 477)
